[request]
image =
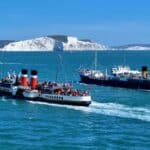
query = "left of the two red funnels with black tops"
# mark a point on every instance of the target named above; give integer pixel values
(24, 77)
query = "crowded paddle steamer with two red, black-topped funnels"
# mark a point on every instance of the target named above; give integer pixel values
(23, 88)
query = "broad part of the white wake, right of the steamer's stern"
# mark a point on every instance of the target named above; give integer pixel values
(119, 110)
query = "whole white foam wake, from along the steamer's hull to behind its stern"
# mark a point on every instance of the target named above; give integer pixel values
(110, 109)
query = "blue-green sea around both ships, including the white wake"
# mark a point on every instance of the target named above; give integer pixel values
(117, 119)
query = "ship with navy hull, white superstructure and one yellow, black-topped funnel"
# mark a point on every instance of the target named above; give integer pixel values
(120, 76)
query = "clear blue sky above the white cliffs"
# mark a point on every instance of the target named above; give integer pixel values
(111, 22)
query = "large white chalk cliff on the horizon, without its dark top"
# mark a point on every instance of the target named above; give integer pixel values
(49, 43)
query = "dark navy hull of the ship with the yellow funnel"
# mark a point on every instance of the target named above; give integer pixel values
(130, 83)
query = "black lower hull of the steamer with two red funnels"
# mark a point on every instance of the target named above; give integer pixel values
(39, 99)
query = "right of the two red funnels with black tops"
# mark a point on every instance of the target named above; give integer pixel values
(33, 81)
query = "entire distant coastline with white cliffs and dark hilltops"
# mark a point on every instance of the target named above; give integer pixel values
(64, 43)
